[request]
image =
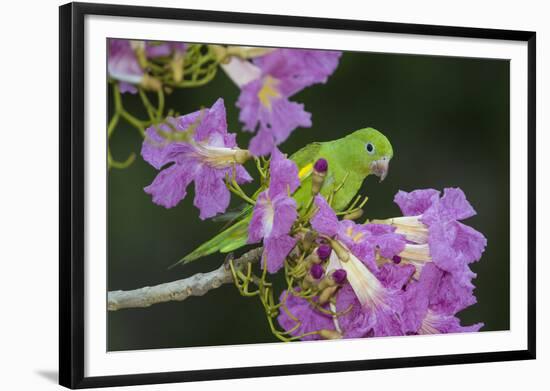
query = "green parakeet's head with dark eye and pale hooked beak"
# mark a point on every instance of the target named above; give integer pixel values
(374, 151)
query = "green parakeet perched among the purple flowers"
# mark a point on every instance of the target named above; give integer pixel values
(350, 160)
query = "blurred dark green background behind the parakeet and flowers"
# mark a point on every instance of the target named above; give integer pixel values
(448, 121)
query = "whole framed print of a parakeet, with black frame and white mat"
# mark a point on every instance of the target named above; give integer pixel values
(251, 195)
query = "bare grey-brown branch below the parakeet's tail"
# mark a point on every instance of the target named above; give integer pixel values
(196, 285)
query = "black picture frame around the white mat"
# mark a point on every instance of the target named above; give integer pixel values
(72, 196)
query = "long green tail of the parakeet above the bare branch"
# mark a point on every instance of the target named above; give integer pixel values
(226, 241)
